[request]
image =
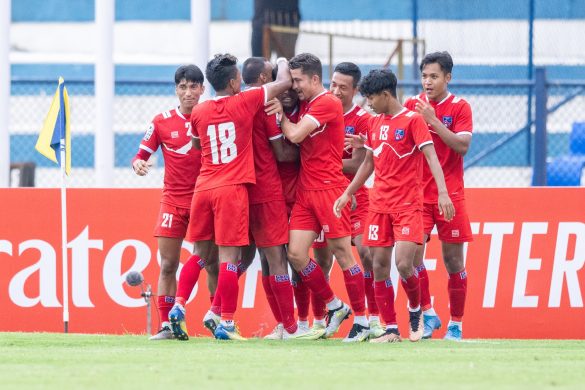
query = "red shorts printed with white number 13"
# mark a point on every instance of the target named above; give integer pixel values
(383, 230)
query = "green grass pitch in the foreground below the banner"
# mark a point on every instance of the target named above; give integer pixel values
(44, 360)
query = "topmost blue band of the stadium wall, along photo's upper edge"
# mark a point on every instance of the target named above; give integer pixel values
(83, 10)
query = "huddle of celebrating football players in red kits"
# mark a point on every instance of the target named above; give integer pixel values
(281, 167)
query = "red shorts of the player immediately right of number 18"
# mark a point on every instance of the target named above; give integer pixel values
(269, 223)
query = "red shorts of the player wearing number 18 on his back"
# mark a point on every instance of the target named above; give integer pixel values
(220, 214)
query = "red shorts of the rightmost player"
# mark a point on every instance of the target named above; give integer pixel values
(456, 231)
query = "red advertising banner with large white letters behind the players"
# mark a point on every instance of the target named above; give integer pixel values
(525, 266)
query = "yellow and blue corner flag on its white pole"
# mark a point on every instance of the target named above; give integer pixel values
(55, 135)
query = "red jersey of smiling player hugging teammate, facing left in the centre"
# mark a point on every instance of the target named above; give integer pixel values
(322, 149)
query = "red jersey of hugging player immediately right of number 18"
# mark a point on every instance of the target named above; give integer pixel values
(268, 185)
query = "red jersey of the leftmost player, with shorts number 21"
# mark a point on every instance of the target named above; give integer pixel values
(170, 131)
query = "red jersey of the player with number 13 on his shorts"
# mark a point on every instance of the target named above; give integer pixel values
(396, 142)
